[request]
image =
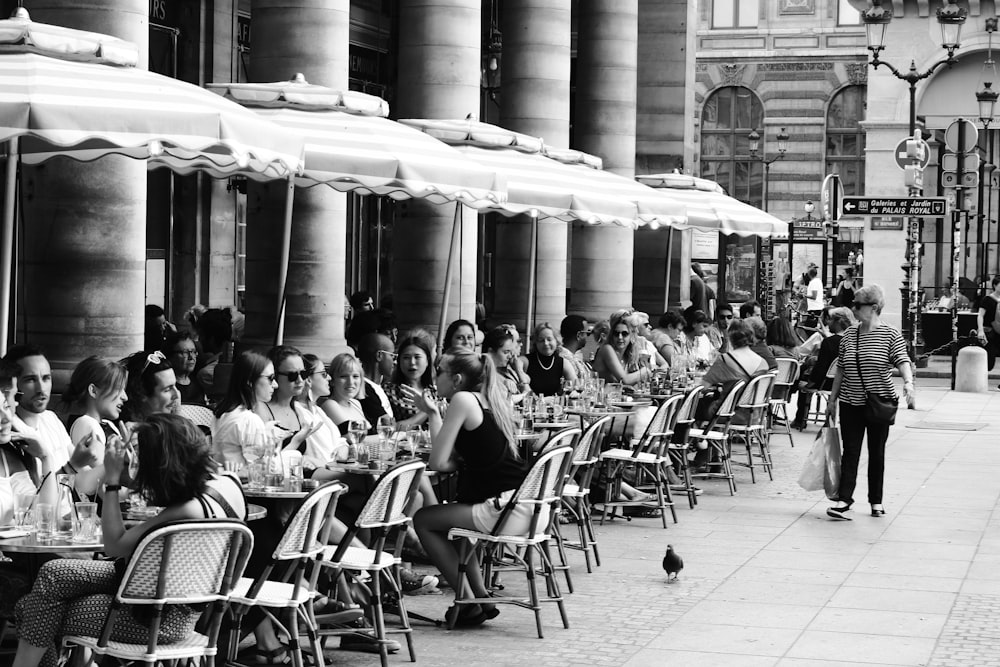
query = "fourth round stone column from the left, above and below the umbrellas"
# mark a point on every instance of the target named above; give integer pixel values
(535, 101)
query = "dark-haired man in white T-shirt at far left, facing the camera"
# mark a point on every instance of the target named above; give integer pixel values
(34, 421)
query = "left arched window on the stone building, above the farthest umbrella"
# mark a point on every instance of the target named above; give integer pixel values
(729, 115)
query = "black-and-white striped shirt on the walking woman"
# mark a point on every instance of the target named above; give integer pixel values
(875, 352)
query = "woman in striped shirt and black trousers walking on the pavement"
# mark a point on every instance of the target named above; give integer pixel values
(868, 352)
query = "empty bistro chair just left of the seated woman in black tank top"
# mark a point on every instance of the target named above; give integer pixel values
(386, 515)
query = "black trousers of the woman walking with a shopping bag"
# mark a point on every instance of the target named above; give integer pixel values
(853, 427)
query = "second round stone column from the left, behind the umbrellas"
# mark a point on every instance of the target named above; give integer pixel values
(311, 37)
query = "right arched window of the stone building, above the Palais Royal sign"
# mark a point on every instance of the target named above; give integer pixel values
(845, 140)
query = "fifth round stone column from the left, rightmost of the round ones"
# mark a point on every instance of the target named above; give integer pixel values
(607, 35)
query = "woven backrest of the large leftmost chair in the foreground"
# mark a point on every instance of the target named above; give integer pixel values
(186, 562)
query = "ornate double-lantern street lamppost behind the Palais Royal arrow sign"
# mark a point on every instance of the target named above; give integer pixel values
(876, 18)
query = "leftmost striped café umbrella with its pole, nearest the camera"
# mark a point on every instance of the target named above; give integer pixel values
(77, 94)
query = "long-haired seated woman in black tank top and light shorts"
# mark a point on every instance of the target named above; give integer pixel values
(476, 438)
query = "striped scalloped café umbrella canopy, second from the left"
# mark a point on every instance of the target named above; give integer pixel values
(351, 146)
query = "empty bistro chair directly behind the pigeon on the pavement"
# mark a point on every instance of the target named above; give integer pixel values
(648, 461)
